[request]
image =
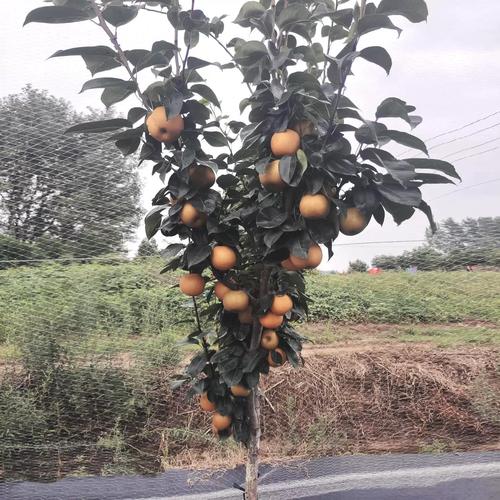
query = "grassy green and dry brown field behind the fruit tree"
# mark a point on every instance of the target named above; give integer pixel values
(396, 362)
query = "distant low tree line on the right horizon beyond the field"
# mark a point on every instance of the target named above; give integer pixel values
(456, 245)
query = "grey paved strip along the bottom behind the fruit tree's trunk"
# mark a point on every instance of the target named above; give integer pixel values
(461, 476)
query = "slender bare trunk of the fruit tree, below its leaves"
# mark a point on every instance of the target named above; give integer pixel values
(252, 469)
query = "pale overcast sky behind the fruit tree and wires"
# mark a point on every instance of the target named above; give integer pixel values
(449, 68)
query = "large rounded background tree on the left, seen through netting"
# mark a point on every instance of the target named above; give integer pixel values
(75, 191)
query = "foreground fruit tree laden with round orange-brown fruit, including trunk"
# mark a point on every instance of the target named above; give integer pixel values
(304, 171)
